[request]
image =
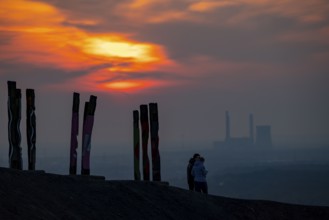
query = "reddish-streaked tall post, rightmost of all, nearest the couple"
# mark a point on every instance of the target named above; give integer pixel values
(154, 130)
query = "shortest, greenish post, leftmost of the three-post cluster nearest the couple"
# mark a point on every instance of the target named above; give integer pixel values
(137, 174)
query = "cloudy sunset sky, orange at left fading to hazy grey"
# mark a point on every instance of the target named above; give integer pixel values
(195, 58)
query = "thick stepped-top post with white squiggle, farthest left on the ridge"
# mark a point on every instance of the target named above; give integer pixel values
(14, 118)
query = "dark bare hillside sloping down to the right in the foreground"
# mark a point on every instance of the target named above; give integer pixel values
(38, 195)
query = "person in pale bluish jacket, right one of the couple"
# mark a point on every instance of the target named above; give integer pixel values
(199, 173)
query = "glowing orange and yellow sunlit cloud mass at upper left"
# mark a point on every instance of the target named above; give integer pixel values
(39, 37)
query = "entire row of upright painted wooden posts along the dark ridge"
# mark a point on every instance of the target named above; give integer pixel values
(147, 126)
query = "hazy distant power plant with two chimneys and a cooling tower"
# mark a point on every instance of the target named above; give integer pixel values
(263, 135)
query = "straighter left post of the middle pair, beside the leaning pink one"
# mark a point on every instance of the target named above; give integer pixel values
(74, 133)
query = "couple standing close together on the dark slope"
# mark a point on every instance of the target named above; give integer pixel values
(196, 174)
